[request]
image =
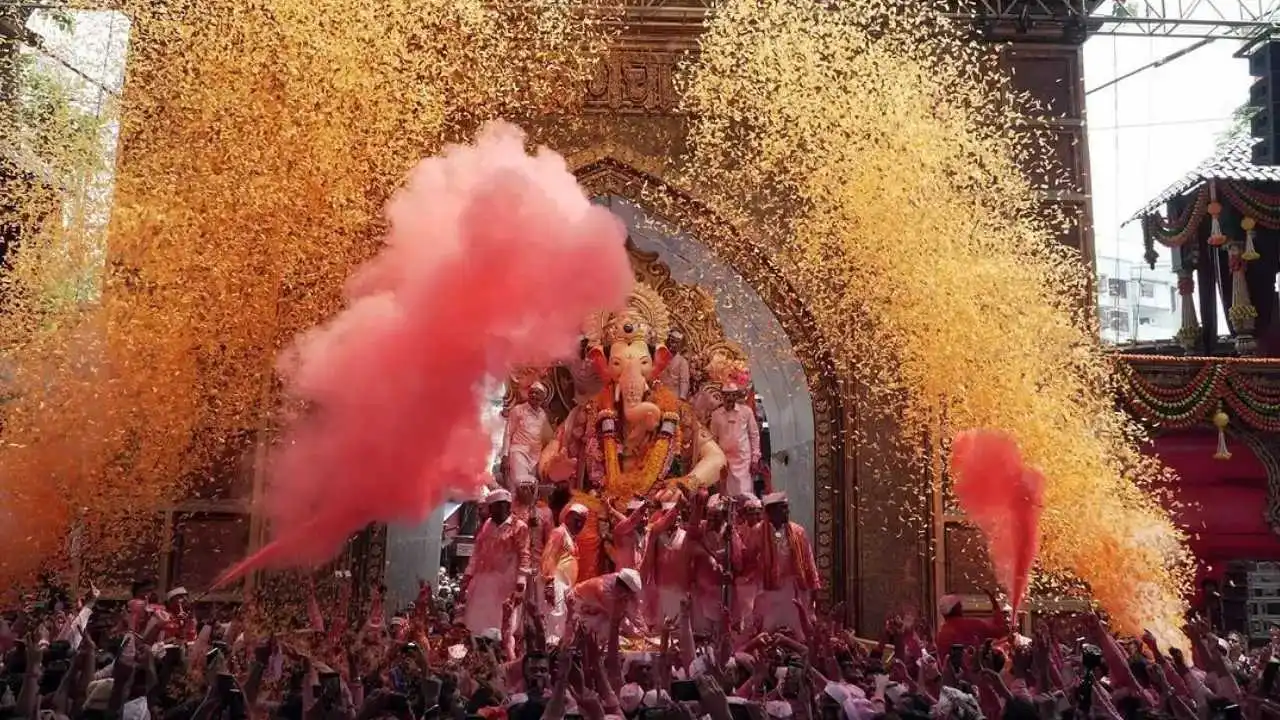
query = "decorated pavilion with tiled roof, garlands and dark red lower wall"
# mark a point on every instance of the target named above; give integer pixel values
(1212, 397)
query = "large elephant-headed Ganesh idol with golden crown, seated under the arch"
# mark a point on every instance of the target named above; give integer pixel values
(636, 438)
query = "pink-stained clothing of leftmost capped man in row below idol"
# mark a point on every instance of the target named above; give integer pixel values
(500, 562)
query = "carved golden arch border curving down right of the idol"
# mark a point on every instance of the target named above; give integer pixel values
(609, 176)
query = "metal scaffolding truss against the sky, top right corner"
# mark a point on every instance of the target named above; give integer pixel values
(1142, 19)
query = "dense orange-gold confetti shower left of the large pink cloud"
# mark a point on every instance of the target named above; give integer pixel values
(260, 140)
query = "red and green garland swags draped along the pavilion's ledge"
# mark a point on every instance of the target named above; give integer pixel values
(1217, 384)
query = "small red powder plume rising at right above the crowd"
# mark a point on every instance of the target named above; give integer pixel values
(1004, 498)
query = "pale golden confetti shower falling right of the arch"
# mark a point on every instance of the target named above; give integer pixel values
(880, 157)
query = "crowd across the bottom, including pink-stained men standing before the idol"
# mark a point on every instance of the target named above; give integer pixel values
(610, 648)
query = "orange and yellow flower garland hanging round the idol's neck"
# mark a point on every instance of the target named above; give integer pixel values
(659, 458)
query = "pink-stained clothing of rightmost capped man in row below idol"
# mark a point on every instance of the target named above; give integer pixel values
(787, 572)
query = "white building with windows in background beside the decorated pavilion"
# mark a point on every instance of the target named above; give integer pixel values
(1136, 303)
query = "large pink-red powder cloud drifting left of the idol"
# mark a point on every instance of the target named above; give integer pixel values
(492, 261)
